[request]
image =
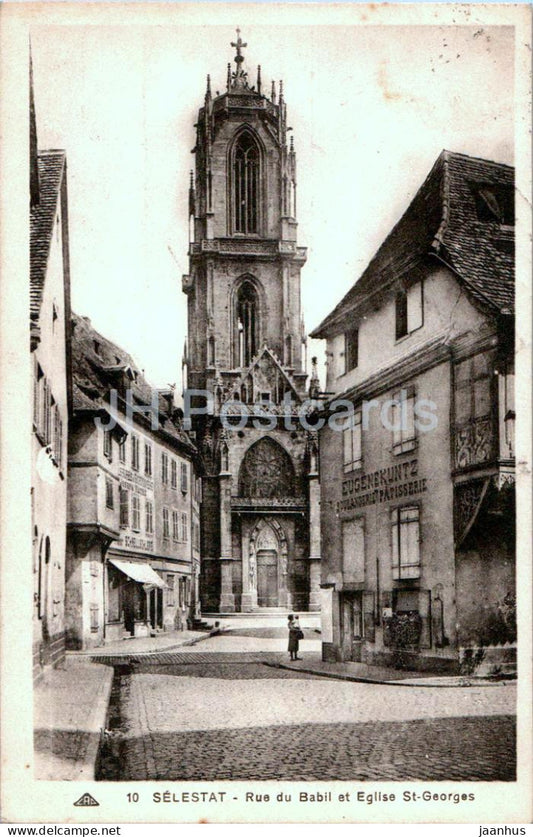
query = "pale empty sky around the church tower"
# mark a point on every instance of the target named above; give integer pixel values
(371, 108)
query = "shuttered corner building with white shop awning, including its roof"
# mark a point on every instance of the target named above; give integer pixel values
(132, 550)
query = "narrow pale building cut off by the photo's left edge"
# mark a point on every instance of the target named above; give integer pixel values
(50, 349)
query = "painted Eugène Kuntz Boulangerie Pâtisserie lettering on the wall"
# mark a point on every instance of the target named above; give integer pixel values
(373, 487)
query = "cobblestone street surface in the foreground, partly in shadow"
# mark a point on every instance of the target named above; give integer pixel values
(225, 719)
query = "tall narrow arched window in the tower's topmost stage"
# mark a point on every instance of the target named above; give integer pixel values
(246, 160)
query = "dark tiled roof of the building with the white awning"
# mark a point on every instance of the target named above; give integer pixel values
(95, 364)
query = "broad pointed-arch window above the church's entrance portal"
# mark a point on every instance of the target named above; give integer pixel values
(266, 471)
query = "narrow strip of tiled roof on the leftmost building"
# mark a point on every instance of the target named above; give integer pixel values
(51, 166)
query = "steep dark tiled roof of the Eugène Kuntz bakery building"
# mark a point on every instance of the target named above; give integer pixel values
(442, 220)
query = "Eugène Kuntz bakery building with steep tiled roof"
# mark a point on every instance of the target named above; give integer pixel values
(418, 526)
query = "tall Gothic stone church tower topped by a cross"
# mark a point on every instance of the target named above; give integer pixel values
(246, 348)
